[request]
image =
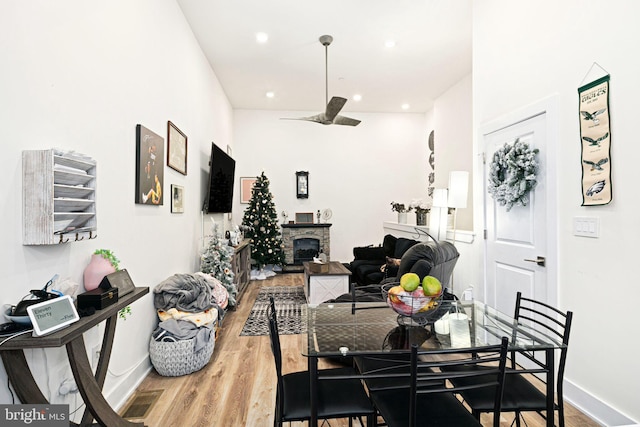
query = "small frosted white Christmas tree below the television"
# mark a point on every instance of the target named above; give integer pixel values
(216, 261)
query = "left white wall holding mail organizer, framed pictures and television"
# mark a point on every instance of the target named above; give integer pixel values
(80, 75)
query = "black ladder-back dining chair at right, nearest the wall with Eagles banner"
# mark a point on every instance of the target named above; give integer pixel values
(521, 394)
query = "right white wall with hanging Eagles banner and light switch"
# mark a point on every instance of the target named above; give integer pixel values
(524, 52)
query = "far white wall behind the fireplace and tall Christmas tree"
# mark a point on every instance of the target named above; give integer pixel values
(355, 171)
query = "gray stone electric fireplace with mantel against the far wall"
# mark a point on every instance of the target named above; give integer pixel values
(304, 241)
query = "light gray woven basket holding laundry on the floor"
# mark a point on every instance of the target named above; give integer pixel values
(173, 358)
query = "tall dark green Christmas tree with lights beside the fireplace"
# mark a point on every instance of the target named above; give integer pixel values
(261, 224)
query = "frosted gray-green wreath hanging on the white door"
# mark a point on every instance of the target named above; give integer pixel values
(512, 174)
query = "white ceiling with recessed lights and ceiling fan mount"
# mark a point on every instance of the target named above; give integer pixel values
(432, 51)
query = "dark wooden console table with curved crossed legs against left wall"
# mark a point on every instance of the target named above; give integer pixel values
(89, 384)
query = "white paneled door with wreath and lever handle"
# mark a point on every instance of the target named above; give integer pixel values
(516, 239)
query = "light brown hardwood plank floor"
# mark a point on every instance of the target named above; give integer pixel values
(237, 387)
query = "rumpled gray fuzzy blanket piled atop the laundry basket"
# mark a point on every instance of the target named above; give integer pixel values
(186, 292)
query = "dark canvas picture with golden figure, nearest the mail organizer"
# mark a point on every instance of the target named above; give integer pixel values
(149, 167)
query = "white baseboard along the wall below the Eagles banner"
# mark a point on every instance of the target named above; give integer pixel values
(593, 407)
